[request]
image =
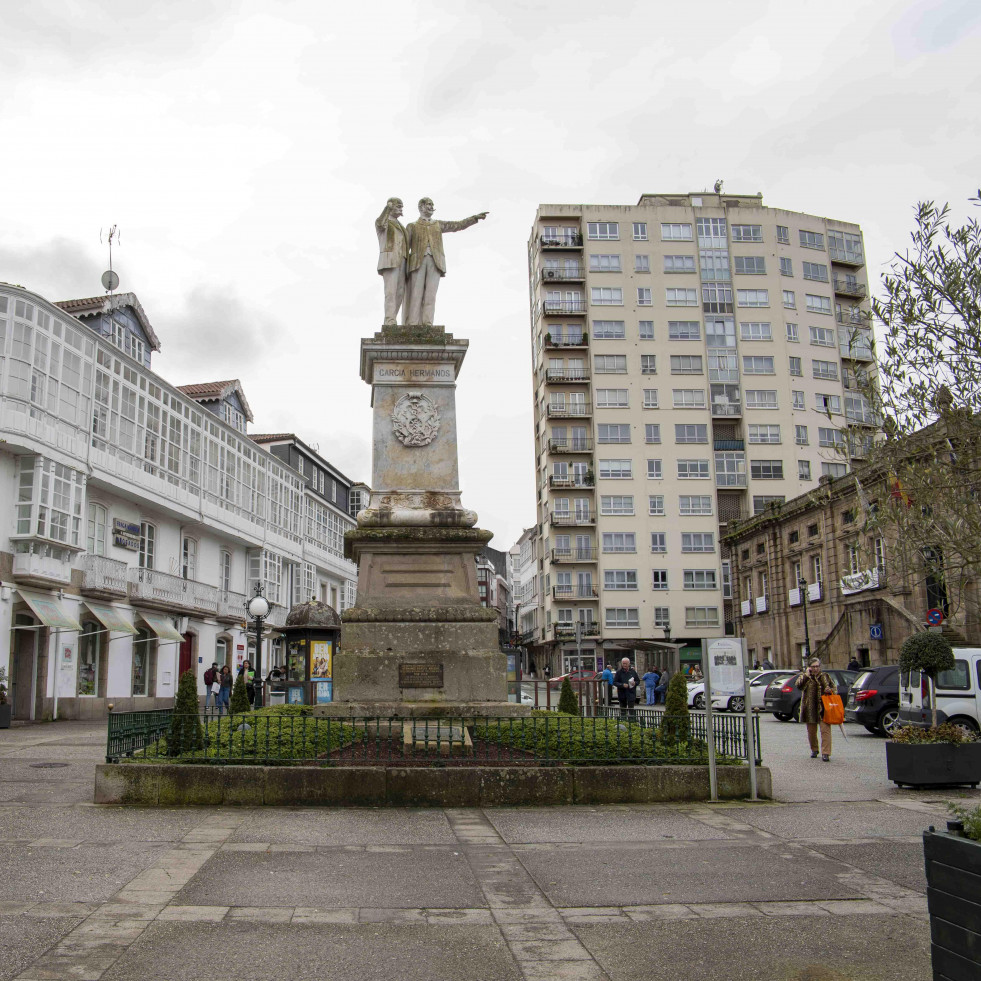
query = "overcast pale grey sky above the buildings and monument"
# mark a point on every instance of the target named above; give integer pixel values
(245, 149)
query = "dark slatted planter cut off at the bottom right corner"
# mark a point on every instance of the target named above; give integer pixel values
(953, 871)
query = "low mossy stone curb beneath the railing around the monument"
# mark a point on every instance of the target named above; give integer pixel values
(474, 786)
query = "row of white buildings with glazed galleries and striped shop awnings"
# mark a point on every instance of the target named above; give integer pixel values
(137, 515)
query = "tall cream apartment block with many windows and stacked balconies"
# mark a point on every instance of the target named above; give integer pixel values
(695, 358)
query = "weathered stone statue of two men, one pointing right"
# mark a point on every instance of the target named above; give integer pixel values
(411, 261)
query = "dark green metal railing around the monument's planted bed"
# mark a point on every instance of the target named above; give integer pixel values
(291, 736)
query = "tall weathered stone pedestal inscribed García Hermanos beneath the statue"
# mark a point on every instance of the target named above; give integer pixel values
(418, 640)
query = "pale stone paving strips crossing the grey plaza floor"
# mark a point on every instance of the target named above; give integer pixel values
(540, 936)
